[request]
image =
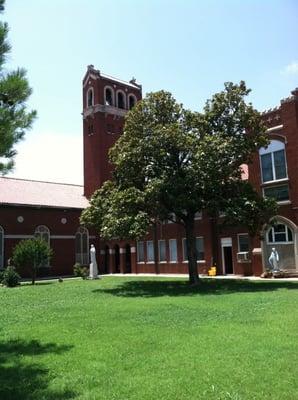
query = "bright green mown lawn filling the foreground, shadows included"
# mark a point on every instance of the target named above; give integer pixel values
(142, 338)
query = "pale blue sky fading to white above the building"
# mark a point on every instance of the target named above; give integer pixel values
(187, 47)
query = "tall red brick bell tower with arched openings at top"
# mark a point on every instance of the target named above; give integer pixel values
(106, 100)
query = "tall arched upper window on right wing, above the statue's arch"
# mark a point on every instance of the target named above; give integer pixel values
(274, 170)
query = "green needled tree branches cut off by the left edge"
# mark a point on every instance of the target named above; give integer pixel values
(14, 92)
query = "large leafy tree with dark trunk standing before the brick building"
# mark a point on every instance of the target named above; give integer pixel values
(170, 160)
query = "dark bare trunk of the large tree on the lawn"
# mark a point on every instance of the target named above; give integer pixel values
(191, 251)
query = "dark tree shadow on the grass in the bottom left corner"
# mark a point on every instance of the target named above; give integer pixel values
(21, 379)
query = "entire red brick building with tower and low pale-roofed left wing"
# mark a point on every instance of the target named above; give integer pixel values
(52, 211)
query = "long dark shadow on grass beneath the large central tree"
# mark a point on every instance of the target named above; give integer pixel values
(158, 288)
